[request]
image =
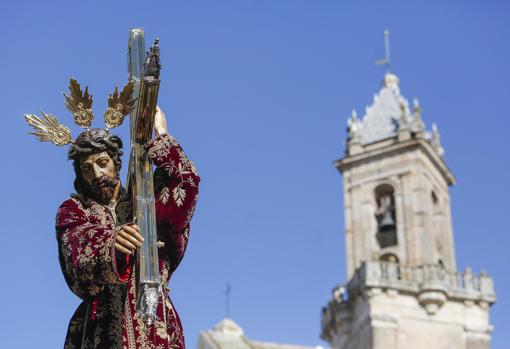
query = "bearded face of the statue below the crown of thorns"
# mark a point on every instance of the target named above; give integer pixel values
(99, 173)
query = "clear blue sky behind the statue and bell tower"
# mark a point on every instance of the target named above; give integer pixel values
(258, 92)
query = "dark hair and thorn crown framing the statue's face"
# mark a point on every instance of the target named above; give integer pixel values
(89, 142)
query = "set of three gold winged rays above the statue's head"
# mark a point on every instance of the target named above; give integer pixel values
(48, 129)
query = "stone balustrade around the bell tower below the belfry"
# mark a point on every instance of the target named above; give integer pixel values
(431, 284)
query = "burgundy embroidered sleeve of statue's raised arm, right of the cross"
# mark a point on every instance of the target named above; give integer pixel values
(176, 190)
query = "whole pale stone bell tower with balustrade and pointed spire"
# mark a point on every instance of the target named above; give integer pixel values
(404, 290)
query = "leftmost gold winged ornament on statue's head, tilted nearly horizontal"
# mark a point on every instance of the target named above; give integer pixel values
(48, 129)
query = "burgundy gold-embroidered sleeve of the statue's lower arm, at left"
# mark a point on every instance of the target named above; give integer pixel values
(87, 252)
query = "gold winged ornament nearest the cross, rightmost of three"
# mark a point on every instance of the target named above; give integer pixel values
(119, 105)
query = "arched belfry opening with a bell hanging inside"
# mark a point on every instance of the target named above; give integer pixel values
(385, 215)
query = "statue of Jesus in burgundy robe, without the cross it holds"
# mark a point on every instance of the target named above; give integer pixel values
(98, 239)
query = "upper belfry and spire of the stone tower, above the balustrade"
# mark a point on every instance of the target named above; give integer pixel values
(397, 205)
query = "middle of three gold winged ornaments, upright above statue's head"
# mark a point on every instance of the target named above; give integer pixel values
(80, 104)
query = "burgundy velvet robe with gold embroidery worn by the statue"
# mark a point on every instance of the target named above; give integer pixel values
(103, 277)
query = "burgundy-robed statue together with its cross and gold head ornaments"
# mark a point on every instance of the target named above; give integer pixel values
(103, 242)
